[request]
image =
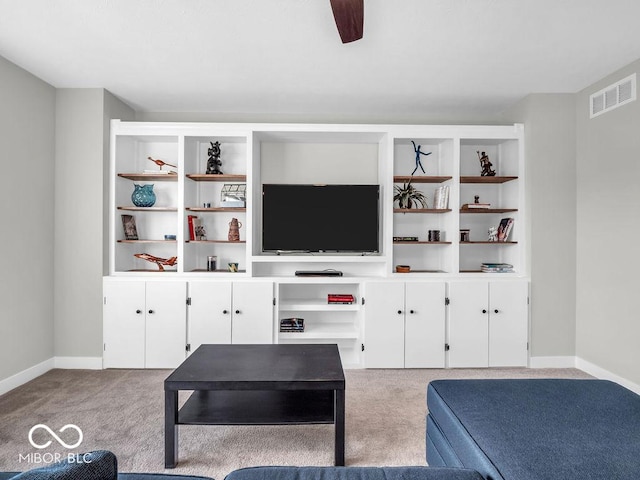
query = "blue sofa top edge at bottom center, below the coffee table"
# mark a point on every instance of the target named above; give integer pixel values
(353, 473)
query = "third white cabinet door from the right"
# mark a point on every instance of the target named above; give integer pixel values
(424, 325)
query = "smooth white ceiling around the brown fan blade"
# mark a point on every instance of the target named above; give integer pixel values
(417, 58)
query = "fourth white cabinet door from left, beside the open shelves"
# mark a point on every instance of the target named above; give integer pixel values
(252, 312)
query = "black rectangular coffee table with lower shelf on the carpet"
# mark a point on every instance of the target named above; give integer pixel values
(256, 385)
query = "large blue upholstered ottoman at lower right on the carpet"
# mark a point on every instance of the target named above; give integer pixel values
(529, 429)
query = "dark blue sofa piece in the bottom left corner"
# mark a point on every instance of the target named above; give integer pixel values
(98, 465)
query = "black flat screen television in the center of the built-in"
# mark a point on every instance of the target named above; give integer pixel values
(320, 218)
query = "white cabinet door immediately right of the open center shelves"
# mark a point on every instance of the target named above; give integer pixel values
(384, 325)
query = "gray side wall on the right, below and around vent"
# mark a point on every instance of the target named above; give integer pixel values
(608, 228)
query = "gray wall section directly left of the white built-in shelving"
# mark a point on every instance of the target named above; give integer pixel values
(81, 204)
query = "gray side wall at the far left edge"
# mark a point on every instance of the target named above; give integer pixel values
(26, 209)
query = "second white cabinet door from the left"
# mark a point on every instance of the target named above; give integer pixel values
(166, 324)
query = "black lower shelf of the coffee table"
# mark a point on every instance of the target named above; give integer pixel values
(257, 407)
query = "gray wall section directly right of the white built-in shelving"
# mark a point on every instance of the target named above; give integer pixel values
(550, 159)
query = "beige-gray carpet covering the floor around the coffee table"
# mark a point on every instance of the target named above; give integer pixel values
(122, 411)
